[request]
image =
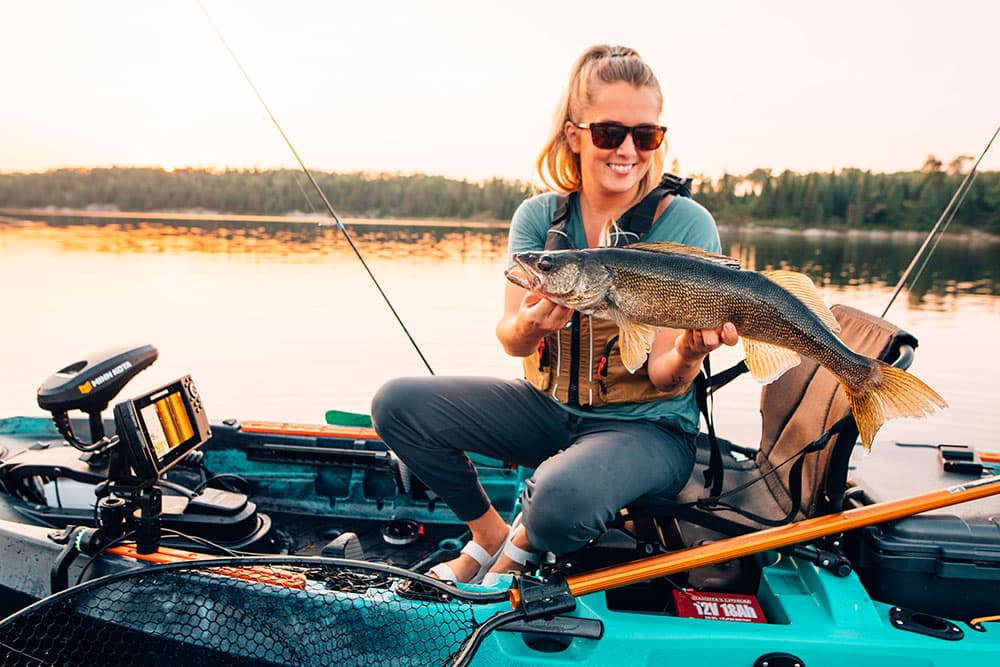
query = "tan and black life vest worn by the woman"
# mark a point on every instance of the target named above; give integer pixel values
(581, 365)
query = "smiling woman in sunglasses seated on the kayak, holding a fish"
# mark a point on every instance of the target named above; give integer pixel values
(598, 436)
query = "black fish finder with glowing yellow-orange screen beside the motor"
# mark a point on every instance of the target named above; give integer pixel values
(159, 428)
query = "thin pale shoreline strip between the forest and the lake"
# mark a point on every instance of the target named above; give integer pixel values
(23, 216)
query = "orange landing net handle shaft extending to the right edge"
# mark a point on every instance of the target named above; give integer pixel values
(773, 538)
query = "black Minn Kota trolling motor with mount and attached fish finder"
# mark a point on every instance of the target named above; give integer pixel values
(126, 469)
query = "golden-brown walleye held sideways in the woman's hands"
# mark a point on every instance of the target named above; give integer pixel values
(779, 315)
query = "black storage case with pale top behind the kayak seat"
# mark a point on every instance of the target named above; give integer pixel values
(945, 562)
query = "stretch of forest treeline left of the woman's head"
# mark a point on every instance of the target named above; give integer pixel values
(271, 192)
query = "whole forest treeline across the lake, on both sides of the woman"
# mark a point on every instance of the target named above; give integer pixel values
(848, 198)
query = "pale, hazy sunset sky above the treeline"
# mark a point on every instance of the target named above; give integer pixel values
(467, 89)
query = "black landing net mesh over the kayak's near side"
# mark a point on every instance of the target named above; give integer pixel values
(231, 613)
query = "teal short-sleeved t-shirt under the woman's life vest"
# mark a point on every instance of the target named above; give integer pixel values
(684, 221)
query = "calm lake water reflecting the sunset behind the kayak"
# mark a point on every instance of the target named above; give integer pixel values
(281, 322)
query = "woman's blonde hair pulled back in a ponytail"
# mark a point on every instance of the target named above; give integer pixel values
(557, 165)
